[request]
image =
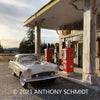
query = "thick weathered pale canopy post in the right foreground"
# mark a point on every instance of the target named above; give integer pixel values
(89, 42)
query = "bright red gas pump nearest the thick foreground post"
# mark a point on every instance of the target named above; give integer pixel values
(68, 63)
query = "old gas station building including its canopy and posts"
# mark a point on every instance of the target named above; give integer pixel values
(77, 21)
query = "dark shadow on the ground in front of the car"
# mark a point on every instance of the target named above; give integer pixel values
(62, 84)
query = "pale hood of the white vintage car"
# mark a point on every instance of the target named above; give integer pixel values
(38, 67)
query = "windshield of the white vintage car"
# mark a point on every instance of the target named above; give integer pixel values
(27, 58)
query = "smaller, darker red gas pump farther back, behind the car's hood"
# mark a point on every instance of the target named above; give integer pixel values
(48, 54)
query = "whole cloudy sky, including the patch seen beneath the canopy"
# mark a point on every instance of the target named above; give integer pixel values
(13, 13)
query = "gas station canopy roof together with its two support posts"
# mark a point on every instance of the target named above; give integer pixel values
(59, 13)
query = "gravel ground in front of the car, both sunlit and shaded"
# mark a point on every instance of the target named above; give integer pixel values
(10, 89)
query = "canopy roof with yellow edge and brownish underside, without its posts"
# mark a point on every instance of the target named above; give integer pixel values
(58, 13)
